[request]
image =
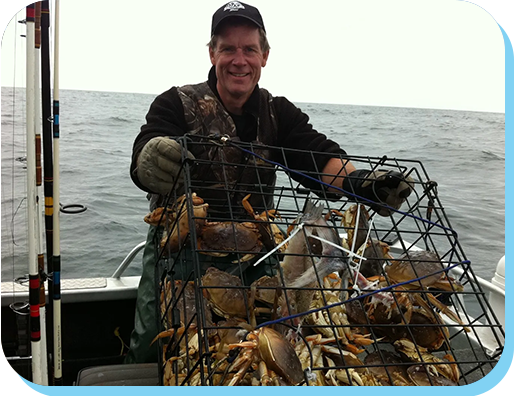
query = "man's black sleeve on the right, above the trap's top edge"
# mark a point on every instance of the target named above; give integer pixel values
(295, 132)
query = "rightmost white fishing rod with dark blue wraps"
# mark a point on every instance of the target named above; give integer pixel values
(56, 260)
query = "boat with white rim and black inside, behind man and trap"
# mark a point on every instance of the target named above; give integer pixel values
(90, 348)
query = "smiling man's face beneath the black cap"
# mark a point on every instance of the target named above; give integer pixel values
(238, 60)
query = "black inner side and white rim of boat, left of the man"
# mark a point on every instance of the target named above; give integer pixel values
(97, 320)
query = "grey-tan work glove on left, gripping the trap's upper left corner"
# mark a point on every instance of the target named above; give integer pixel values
(159, 164)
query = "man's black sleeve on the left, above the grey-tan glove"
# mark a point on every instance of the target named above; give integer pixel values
(164, 118)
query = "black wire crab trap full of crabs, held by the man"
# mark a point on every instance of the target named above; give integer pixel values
(266, 277)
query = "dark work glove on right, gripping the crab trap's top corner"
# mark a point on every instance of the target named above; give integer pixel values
(382, 187)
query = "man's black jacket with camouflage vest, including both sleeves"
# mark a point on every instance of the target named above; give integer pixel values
(198, 110)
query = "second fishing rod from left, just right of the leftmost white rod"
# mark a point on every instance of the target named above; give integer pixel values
(39, 198)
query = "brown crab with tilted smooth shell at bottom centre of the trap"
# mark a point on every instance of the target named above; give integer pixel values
(267, 350)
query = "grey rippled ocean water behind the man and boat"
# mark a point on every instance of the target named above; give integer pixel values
(462, 151)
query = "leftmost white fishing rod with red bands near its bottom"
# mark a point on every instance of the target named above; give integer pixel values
(34, 280)
